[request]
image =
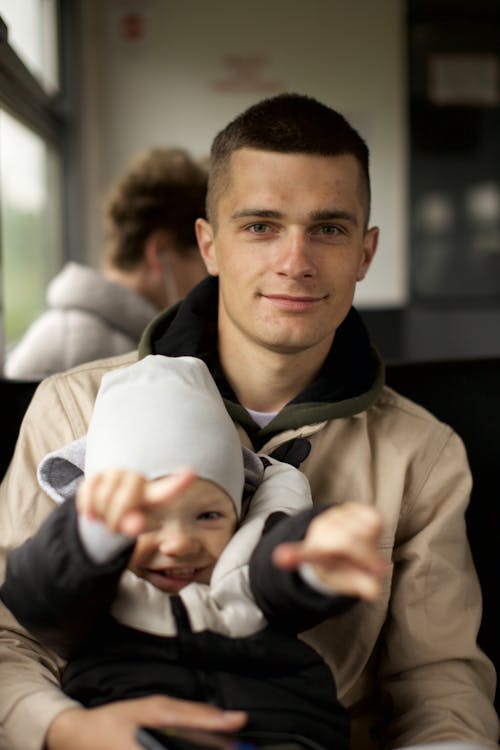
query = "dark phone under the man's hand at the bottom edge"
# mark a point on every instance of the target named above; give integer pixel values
(186, 739)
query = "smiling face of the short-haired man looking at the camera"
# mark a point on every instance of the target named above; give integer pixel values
(289, 246)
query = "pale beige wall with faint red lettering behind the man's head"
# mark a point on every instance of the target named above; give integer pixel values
(198, 63)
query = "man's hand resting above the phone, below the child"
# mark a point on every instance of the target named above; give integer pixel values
(113, 727)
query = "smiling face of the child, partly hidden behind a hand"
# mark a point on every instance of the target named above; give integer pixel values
(194, 531)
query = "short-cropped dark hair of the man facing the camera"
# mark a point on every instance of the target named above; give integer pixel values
(287, 123)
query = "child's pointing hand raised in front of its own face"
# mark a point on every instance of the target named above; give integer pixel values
(126, 501)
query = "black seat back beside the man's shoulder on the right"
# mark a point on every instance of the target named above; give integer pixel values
(466, 395)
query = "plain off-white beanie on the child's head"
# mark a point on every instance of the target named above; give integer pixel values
(162, 414)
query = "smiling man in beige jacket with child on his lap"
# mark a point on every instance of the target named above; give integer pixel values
(286, 239)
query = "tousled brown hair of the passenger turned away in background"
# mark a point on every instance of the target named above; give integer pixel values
(163, 189)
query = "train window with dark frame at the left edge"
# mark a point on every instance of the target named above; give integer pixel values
(33, 159)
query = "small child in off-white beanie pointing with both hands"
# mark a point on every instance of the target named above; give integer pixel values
(162, 580)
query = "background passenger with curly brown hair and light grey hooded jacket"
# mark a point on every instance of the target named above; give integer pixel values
(150, 261)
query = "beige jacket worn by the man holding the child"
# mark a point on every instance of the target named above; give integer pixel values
(409, 661)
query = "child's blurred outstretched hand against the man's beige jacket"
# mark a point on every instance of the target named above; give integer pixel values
(341, 544)
